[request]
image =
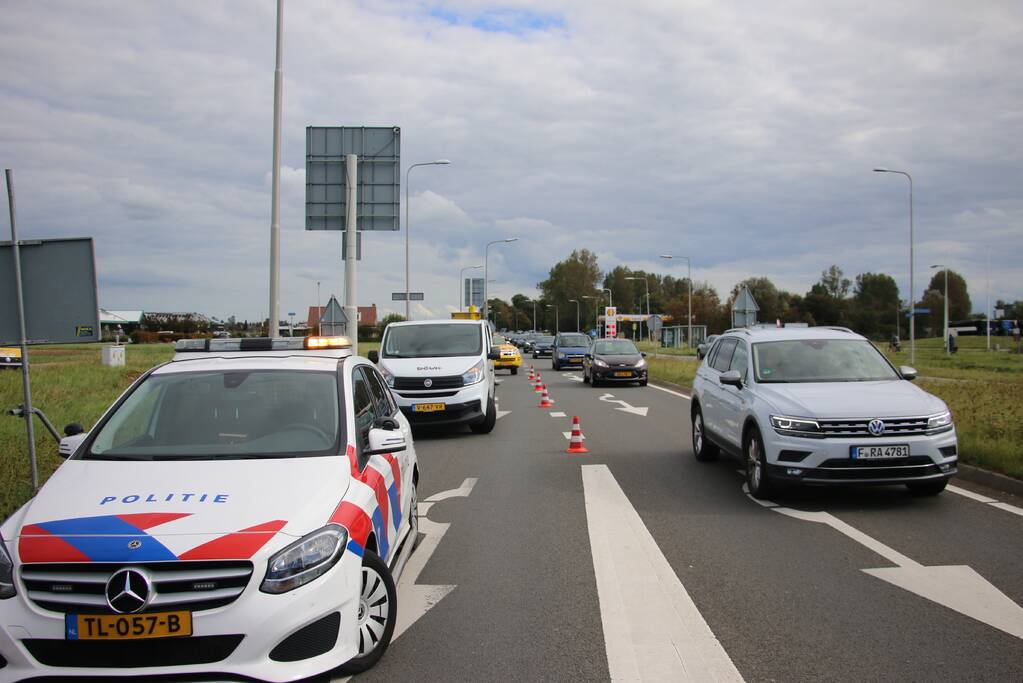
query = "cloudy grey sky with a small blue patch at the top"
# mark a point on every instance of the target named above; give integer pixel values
(741, 134)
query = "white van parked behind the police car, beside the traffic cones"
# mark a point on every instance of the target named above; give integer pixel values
(441, 372)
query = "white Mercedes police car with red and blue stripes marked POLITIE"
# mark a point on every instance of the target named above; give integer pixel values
(244, 511)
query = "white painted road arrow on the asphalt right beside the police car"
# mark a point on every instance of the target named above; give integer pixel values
(415, 600)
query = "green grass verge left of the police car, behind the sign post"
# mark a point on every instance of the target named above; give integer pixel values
(70, 385)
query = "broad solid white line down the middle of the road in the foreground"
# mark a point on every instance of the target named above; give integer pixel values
(652, 628)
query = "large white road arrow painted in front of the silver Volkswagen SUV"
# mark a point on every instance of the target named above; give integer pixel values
(957, 587)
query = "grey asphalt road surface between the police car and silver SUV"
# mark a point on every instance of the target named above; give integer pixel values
(788, 599)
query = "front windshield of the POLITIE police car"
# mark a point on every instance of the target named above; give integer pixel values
(225, 416)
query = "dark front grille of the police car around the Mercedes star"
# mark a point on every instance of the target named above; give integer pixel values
(182, 585)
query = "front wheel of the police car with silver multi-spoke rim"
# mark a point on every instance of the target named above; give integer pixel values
(378, 611)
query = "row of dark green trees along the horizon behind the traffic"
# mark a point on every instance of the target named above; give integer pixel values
(870, 303)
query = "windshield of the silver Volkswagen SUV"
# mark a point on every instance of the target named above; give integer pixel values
(820, 360)
